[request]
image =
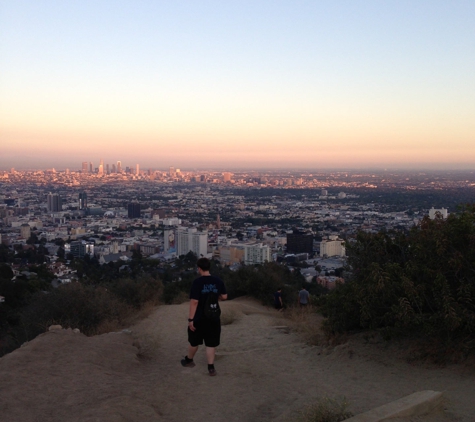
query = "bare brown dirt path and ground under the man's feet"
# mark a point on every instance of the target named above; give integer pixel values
(265, 372)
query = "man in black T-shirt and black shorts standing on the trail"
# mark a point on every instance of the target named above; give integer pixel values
(204, 323)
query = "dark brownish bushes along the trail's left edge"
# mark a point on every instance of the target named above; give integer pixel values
(75, 305)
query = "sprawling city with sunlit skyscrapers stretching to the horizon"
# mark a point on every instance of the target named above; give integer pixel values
(239, 217)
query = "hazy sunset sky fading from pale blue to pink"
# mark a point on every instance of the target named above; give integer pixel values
(239, 83)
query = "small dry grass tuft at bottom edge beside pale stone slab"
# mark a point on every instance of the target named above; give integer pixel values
(326, 410)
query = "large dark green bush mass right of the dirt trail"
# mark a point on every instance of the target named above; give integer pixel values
(421, 282)
